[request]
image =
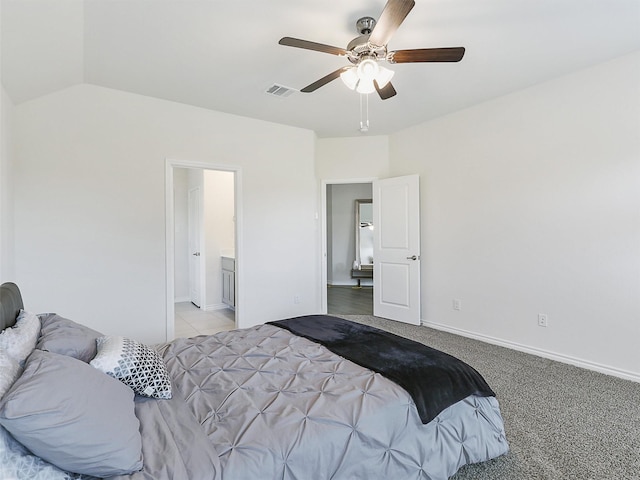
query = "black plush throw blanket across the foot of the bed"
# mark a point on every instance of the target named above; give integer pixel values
(434, 379)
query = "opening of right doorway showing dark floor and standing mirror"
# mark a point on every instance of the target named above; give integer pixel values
(349, 270)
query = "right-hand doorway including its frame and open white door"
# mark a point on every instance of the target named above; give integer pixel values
(396, 245)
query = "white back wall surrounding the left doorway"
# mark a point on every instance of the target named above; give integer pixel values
(90, 207)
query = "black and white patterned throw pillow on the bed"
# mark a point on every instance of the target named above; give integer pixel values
(134, 364)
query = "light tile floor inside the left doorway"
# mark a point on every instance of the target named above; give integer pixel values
(191, 321)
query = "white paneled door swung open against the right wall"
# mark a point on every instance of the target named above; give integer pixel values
(396, 258)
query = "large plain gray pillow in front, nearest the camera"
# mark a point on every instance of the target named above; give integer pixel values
(73, 416)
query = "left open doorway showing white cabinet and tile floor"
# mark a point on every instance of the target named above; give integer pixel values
(202, 236)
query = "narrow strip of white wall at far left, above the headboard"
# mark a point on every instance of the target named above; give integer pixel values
(7, 271)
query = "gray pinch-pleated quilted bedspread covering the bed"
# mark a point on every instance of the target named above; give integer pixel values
(277, 406)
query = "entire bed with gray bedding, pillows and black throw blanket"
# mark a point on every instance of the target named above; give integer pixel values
(262, 402)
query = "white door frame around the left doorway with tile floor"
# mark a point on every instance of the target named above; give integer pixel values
(170, 165)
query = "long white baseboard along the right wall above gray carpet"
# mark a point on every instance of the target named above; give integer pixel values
(577, 362)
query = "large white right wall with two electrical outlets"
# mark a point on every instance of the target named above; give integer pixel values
(531, 204)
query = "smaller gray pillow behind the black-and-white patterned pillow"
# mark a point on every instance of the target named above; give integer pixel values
(66, 337)
